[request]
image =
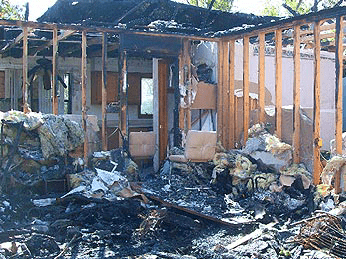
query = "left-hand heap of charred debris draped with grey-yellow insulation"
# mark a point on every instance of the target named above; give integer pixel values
(35, 147)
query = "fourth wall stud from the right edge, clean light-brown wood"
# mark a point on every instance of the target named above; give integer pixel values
(278, 83)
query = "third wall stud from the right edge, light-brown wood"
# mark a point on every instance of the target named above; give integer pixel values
(296, 95)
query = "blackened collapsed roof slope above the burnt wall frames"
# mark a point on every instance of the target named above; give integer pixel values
(154, 15)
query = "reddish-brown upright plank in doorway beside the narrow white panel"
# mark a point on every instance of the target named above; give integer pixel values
(163, 114)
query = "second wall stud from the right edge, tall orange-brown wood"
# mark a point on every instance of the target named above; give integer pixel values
(317, 103)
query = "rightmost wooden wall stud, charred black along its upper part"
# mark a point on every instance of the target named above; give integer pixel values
(338, 95)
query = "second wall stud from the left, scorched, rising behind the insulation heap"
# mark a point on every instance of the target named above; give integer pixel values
(55, 105)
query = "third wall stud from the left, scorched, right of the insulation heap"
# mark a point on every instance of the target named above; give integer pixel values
(84, 107)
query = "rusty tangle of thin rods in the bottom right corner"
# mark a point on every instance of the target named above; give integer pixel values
(323, 231)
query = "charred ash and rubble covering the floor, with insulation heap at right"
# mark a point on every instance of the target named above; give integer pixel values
(249, 203)
